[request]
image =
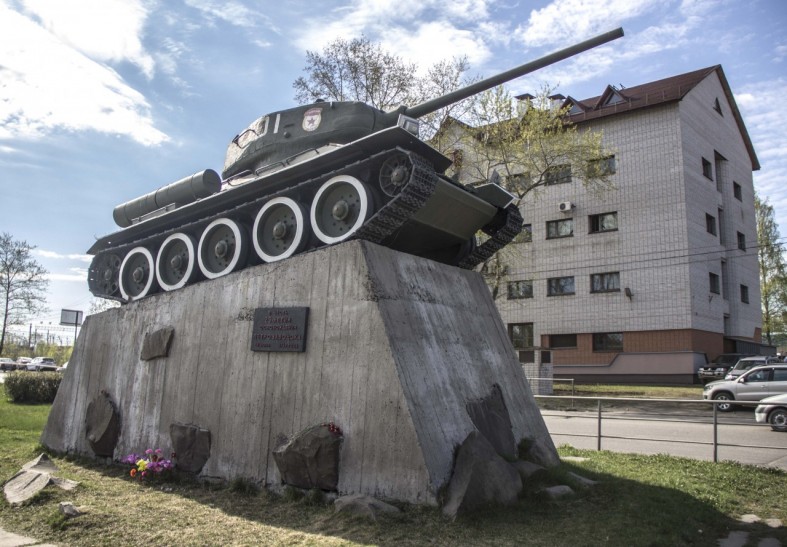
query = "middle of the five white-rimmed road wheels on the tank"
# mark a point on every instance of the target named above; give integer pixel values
(223, 248)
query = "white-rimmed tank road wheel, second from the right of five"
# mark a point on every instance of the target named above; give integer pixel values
(279, 230)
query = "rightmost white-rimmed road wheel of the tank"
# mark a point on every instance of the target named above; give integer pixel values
(341, 206)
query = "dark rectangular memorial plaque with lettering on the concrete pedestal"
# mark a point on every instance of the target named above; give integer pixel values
(279, 329)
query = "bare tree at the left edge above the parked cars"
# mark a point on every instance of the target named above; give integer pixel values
(22, 283)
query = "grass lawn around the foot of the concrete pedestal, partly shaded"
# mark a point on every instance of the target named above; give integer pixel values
(641, 500)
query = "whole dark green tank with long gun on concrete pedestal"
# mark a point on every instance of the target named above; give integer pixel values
(305, 177)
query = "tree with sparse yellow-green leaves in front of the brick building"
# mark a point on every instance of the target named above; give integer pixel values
(525, 146)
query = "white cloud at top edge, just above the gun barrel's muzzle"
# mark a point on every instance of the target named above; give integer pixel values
(567, 21)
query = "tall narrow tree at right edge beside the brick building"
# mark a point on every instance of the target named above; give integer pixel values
(773, 271)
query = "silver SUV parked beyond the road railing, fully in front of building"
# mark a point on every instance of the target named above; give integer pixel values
(753, 385)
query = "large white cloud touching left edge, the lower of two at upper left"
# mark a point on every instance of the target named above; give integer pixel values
(47, 85)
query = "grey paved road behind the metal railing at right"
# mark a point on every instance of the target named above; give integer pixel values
(678, 433)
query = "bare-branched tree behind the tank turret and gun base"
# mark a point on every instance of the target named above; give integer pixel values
(361, 70)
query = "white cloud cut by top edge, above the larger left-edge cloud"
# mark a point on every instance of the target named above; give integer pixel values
(103, 30)
